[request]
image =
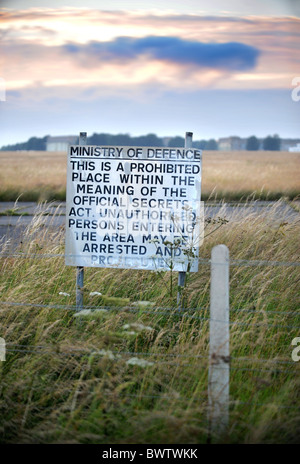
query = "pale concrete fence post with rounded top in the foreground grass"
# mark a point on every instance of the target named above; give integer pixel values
(219, 355)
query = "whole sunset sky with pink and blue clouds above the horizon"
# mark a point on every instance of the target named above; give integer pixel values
(216, 68)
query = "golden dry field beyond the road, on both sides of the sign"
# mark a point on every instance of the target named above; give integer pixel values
(39, 176)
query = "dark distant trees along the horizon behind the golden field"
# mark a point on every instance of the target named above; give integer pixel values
(150, 140)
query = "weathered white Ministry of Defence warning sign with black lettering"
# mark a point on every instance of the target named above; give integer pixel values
(134, 207)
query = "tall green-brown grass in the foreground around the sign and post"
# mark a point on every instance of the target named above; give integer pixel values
(70, 380)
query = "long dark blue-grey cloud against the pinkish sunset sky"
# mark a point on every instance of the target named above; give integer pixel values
(231, 56)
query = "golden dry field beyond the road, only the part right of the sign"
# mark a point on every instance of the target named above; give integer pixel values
(238, 173)
